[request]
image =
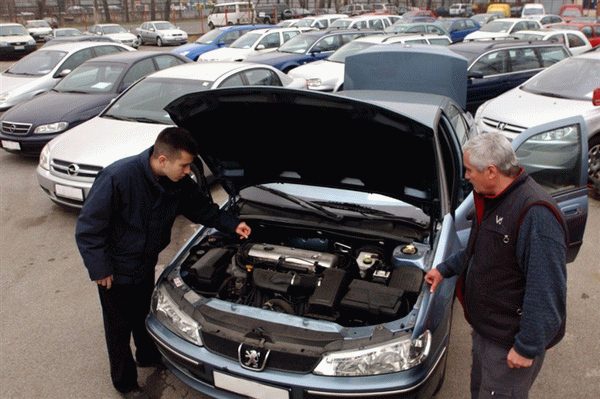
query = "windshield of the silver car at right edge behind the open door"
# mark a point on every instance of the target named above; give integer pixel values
(573, 78)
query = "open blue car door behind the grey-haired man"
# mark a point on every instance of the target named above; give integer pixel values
(555, 156)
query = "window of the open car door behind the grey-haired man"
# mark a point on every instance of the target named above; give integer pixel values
(566, 142)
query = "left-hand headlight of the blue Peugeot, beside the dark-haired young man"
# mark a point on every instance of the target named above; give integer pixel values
(174, 318)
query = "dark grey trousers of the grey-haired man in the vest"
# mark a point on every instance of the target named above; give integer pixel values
(491, 378)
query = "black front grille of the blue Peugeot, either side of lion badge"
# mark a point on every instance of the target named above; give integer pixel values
(281, 361)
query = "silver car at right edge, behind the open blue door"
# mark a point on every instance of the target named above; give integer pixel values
(568, 88)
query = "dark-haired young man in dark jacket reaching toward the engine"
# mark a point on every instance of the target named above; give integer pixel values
(124, 224)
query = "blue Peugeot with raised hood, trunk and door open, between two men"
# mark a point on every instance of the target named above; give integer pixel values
(327, 298)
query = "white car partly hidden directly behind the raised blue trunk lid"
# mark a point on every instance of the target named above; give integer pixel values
(328, 74)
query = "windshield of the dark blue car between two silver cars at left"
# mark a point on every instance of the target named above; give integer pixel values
(94, 78)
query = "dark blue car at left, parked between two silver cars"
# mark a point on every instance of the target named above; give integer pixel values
(26, 128)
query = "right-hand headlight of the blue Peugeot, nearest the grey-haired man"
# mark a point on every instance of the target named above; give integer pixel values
(394, 356)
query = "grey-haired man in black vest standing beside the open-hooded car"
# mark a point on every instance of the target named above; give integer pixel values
(513, 271)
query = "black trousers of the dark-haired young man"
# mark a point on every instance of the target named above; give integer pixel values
(124, 309)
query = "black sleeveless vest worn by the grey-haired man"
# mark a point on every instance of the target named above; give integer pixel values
(494, 282)
